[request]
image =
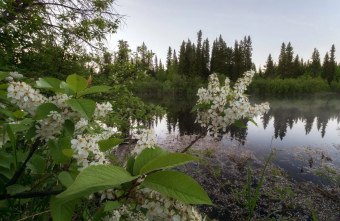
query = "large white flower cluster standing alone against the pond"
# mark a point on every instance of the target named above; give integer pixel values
(224, 105)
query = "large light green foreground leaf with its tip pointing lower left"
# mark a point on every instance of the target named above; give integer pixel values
(96, 178)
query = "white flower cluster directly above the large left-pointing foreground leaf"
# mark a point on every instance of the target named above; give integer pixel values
(87, 151)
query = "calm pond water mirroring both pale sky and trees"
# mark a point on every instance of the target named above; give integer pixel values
(302, 126)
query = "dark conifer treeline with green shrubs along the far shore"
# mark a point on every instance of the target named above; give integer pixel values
(189, 69)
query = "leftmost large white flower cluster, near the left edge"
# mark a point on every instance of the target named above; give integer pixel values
(25, 96)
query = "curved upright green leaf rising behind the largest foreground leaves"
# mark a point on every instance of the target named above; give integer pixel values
(145, 156)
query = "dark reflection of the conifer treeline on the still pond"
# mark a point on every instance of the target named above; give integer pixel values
(286, 112)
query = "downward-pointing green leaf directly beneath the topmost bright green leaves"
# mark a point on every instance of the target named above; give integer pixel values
(85, 107)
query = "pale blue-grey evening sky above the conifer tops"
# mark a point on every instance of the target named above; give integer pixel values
(306, 24)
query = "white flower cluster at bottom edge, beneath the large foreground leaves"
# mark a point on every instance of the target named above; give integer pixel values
(160, 207)
